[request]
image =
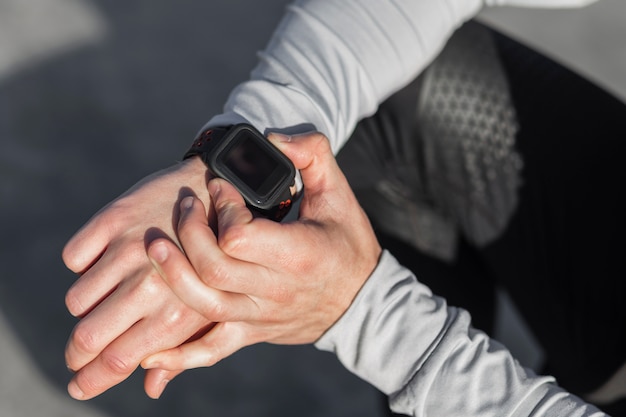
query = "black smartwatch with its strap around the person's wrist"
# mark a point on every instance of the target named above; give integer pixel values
(240, 154)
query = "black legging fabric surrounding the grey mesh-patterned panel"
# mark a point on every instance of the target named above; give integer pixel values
(560, 254)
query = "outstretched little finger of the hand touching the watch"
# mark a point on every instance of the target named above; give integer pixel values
(222, 341)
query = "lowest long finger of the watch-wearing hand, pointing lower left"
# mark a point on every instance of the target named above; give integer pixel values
(120, 358)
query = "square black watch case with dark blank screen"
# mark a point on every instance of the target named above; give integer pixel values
(253, 162)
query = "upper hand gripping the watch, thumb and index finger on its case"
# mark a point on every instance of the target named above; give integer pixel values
(263, 281)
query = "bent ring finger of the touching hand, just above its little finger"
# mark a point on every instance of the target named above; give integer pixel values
(214, 304)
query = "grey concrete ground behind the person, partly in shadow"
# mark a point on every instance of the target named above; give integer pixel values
(95, 95)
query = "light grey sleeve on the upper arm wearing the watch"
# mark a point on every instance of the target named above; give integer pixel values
(331, 63)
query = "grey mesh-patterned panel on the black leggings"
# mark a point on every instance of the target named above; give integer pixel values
(468, 127)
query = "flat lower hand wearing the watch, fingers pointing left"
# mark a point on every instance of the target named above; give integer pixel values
(126, 311)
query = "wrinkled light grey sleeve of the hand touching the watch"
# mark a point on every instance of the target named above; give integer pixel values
(426, 356)
